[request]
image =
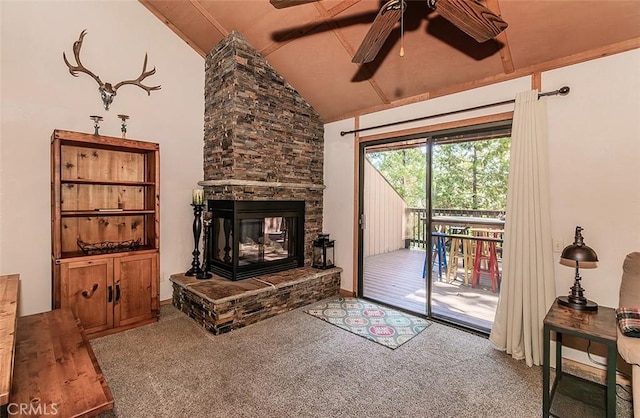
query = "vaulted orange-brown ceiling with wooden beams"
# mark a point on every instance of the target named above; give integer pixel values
(311, 45)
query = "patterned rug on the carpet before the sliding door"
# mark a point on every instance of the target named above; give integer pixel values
(377, 323)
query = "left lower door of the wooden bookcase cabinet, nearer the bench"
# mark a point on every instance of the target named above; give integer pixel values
(86, 287)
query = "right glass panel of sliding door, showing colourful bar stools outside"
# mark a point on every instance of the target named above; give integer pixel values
(469, 176)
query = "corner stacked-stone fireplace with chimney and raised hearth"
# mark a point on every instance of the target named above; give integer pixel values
(263, 180)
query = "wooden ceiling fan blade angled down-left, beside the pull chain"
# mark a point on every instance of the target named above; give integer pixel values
(378, 32)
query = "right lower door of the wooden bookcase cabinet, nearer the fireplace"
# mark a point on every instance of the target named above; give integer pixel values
(136, 286)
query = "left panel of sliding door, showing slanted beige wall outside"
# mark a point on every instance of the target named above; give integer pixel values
(393, 180)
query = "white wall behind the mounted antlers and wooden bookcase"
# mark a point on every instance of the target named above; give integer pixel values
(39, 95)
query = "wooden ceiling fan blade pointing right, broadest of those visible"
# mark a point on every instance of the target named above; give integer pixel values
(471, 17)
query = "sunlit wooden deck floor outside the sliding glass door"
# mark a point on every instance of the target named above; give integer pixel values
(395, 278)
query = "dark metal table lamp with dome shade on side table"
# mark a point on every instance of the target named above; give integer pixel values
(572, 256)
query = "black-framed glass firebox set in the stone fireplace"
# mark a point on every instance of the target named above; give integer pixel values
(250, 238)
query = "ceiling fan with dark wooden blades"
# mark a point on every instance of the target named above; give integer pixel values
(469, 16)
